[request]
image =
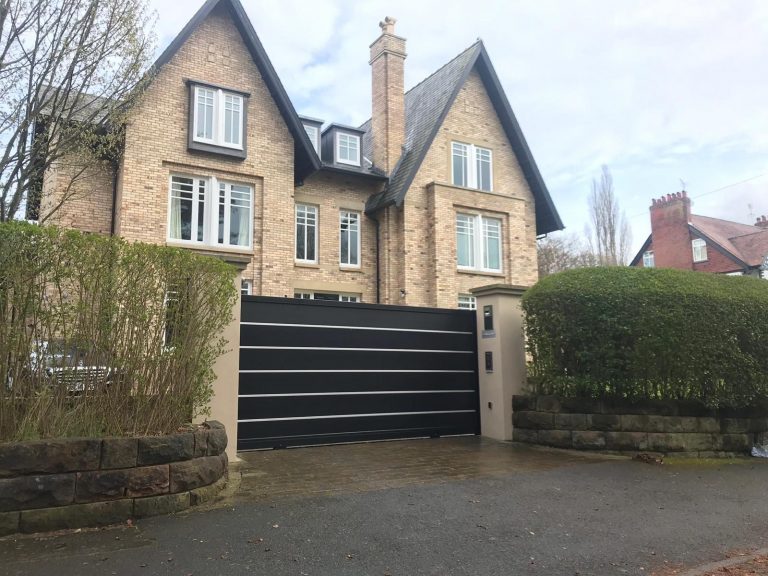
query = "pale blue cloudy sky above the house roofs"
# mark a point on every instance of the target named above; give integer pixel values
(666, 94)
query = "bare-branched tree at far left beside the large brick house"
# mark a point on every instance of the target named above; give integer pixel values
(69, 71)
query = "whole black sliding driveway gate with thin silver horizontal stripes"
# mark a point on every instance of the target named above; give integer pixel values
(317, 372)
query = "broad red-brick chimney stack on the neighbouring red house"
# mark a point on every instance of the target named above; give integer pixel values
(671, 238)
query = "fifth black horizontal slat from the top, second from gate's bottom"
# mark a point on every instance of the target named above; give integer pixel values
(294, 406)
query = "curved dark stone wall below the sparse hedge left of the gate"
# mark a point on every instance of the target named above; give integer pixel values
(75, 482)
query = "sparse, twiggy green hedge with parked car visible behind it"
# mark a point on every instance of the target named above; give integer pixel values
(99, 336)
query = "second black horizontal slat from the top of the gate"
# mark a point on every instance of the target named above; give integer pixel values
(259, 335)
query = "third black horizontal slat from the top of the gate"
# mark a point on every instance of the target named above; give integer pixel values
(355, 360)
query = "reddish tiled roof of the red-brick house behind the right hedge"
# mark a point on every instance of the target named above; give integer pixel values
(746, 245)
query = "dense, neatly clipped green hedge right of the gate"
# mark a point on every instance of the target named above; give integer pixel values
(649, 333)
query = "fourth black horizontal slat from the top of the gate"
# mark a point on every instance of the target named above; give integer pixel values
(287, 382)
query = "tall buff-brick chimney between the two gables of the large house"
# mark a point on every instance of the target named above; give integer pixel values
(388, 87)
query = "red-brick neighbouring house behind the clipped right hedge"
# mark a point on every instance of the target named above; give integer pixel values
(687, 241)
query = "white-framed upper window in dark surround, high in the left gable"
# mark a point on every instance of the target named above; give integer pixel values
(218, 117)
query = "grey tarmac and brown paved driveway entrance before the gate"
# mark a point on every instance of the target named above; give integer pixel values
(452, 506)
